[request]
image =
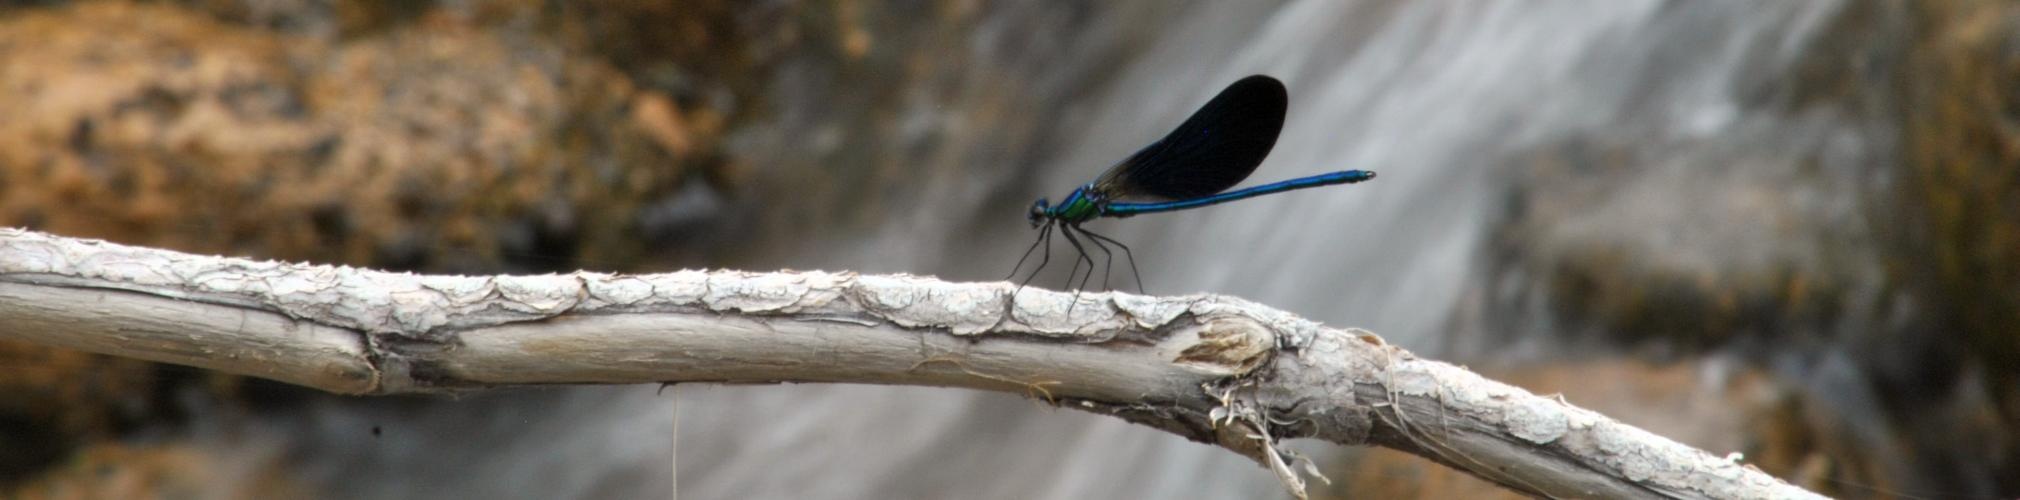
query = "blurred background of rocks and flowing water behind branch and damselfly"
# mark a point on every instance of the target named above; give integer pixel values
(1779, 229)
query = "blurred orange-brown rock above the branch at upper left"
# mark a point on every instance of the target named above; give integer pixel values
(423, 148)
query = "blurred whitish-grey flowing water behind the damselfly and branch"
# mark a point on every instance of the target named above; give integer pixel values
(1445, 100)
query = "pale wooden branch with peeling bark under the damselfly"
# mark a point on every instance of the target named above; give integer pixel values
(1207, 368)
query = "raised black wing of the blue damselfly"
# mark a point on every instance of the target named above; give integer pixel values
(1217, 148)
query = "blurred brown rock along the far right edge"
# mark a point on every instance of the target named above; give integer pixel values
(1962, 180)
